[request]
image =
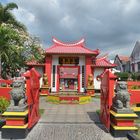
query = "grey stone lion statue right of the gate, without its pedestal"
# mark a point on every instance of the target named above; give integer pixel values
(122, 96)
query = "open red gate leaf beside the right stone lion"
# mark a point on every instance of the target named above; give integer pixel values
(107, 92)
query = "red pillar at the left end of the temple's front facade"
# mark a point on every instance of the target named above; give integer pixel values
(48, 66)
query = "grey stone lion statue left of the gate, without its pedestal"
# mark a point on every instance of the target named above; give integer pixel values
(18, 100)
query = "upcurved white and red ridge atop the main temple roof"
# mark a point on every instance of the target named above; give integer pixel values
(58, 42)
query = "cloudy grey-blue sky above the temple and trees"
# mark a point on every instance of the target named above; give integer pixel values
(113, 26)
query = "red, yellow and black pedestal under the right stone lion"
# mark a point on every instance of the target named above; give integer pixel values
(122, 123)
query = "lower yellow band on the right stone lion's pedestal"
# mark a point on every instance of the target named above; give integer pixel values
(124, 127)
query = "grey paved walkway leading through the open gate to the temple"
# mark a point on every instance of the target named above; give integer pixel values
(70, 122)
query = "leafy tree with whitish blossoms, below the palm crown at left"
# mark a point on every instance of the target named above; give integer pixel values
(16, 48)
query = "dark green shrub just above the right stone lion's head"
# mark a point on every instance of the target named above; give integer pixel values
(122, 76)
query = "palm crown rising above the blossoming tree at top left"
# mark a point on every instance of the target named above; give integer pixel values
(7, 17)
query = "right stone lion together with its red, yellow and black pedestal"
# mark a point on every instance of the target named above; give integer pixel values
(122, 118)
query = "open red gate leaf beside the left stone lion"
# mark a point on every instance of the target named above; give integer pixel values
(32, 93)
